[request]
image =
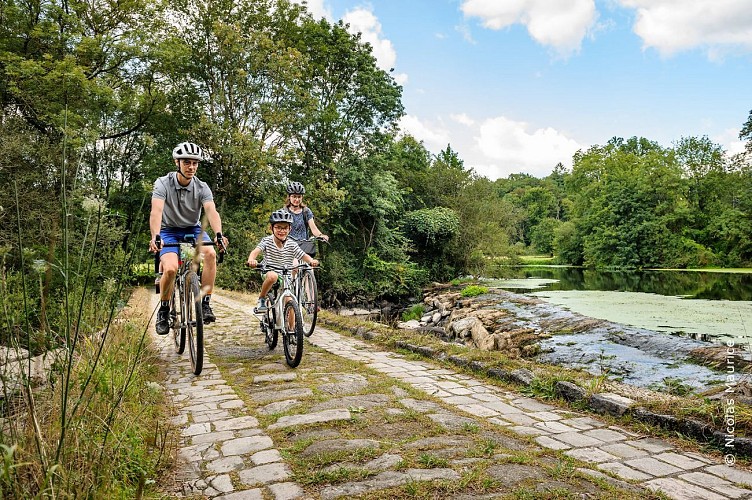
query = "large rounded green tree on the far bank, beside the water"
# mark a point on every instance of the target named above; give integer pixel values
(630, 205)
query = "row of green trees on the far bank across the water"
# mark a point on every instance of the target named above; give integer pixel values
(634, 204)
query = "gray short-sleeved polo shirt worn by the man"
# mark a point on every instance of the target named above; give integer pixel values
(182, 204)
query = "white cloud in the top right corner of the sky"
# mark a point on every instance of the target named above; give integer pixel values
(672, 26)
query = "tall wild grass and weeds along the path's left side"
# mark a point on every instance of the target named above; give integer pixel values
(117, 441)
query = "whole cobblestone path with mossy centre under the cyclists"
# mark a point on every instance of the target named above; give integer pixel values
(355, 421)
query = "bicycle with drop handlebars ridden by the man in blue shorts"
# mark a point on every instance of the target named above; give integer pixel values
(188, 290)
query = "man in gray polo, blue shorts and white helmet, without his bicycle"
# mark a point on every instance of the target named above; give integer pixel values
(176, 204)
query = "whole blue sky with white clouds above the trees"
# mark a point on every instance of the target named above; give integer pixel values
(519, 85)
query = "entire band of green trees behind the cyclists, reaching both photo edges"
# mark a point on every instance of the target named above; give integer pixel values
(94, 96)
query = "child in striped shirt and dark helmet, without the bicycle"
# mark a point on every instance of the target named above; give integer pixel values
(279, 251)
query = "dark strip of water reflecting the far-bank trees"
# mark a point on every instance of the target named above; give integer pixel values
(688, 284)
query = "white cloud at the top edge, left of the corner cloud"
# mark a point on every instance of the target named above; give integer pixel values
(561, 24)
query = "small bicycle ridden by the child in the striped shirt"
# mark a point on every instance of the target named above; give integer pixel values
(283, 315)
